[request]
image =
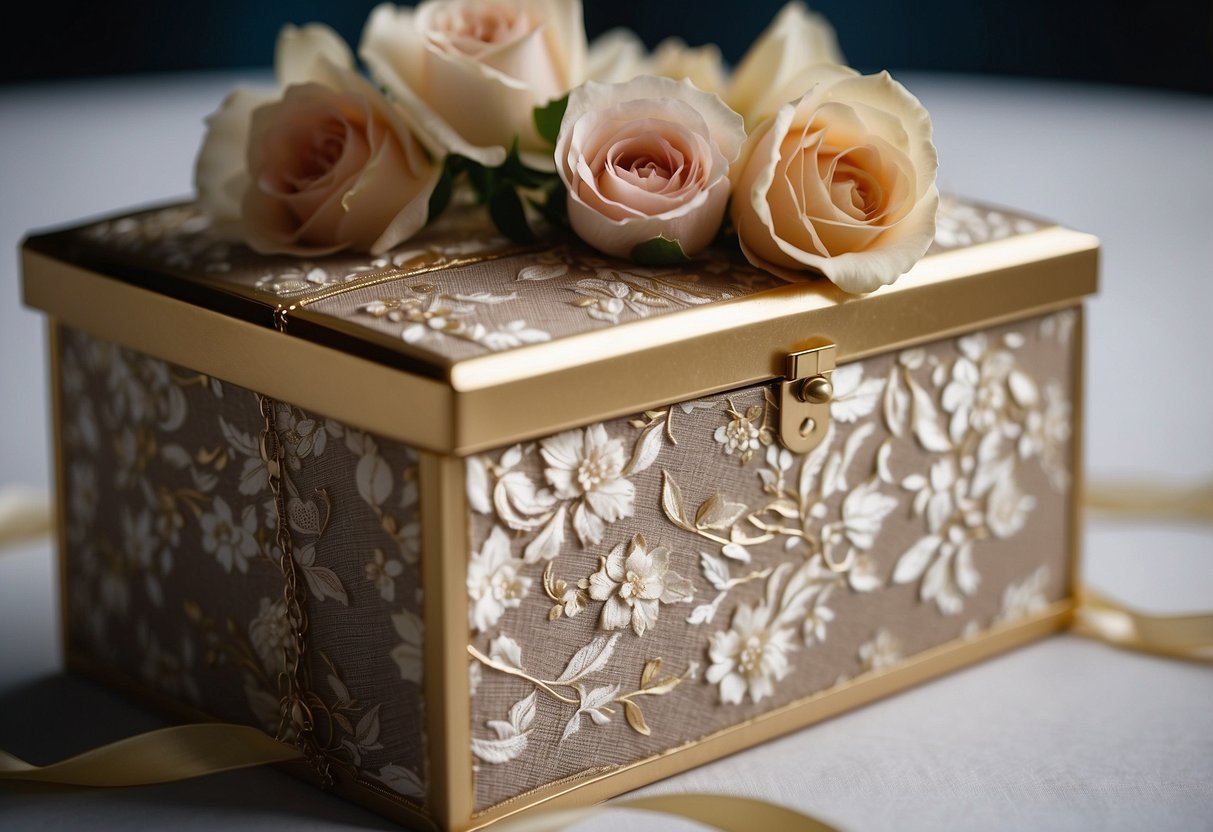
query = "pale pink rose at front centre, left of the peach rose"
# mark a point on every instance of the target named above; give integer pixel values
(645, 161)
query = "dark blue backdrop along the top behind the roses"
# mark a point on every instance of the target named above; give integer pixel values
(1165, 43)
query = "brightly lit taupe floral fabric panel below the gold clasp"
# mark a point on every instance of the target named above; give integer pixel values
(641, 585)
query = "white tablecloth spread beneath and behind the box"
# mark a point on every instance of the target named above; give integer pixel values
(1064, 734)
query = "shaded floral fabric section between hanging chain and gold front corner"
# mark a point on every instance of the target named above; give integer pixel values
(352, 506)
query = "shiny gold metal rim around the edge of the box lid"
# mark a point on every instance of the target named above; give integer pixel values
(579, 379)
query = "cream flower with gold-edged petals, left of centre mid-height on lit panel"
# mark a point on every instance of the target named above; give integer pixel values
(635, 582)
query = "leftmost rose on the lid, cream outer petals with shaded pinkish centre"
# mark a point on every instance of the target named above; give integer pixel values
(326, 164)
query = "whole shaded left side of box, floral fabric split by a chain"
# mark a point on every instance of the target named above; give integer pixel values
(174, 571)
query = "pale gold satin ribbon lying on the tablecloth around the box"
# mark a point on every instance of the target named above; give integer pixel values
(191, 751)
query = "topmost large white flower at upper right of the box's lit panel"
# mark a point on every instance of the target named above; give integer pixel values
(977, 394)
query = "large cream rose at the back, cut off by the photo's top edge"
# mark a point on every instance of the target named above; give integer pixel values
(472, 72)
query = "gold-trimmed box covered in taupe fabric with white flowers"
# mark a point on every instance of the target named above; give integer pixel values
(487, 528)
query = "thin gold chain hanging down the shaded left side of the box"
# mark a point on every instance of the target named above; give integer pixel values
(295, 717)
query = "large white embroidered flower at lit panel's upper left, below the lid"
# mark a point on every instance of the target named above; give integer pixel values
(589, 468)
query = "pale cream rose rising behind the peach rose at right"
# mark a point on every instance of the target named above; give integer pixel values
(796, 41)
